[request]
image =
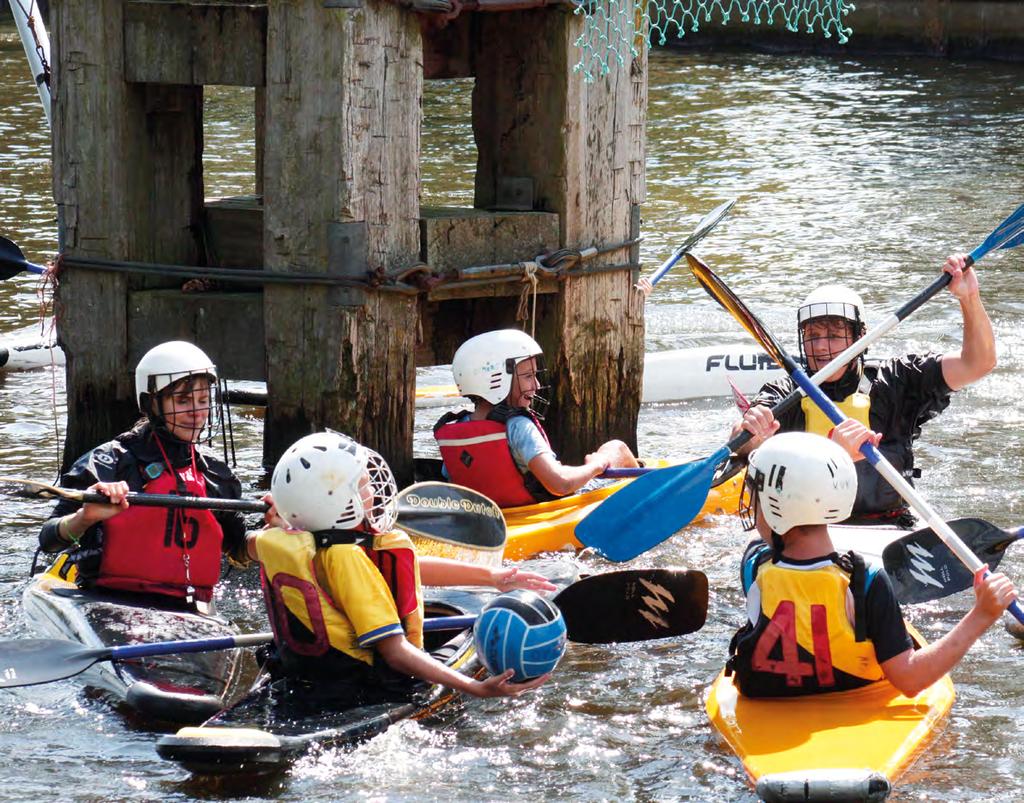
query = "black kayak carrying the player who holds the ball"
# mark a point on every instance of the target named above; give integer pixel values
(279, 721)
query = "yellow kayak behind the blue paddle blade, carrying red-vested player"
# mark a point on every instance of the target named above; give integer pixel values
(548, 527)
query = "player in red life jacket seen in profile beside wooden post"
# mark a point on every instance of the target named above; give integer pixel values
(500, 448)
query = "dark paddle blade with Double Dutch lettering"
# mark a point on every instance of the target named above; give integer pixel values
(452, 515)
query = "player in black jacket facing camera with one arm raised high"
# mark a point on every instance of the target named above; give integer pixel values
(904, 395)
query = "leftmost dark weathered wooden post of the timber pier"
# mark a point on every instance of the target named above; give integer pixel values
(129, 182)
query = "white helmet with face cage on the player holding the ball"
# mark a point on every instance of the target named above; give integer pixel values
(328, 482)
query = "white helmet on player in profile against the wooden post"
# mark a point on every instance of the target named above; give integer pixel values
(485, 365)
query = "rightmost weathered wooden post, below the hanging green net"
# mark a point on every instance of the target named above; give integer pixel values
(583, 147)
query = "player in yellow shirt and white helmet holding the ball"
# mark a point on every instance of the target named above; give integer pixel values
(343, 585)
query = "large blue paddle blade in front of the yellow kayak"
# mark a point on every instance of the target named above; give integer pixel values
(650, 510)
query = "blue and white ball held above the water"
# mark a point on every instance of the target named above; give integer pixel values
(522, 631)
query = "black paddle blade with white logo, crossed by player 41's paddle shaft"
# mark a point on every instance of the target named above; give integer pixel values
(923, 568)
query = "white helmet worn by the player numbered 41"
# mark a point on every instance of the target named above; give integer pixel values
(798, 479)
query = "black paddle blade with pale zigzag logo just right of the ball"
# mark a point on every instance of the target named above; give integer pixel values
(634, 606)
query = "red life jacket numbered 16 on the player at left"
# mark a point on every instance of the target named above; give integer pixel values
(170, 552)
